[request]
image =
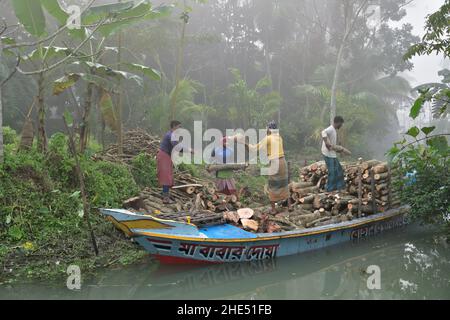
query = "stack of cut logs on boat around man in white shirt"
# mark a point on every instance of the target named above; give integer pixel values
(369, 189)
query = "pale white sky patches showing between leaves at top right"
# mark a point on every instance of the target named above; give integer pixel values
(425, 68)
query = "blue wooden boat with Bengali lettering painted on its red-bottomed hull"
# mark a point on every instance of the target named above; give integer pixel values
(184, 243)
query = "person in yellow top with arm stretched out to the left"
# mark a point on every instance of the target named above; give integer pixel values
(278, 184)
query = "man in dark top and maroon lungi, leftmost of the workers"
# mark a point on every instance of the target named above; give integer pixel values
(164, 162)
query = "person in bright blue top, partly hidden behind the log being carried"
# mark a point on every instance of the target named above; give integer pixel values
(224, 178)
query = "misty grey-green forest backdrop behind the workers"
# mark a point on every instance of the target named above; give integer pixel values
(245, 62)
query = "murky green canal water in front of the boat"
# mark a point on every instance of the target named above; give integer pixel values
(413, 263)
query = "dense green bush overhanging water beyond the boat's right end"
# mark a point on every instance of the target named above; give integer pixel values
(427, 159)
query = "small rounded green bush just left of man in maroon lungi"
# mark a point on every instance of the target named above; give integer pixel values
(144, 171)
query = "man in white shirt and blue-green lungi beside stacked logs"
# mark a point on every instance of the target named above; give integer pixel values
(330, 149)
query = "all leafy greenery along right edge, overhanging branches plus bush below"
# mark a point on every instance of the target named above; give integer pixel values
(424, 154)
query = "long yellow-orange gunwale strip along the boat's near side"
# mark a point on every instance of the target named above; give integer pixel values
(286, 235)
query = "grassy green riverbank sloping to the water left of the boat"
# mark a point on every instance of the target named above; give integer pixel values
(43, 228)
